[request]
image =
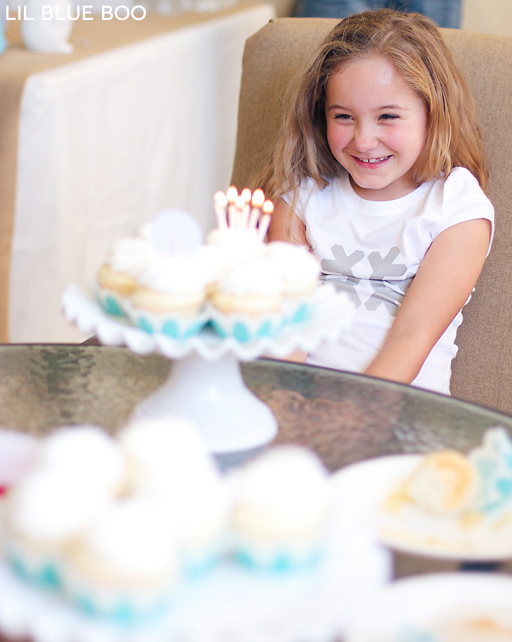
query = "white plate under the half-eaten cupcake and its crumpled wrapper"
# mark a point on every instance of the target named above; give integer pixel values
(363, 489)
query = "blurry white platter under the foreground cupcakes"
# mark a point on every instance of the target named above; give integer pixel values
(232, 603)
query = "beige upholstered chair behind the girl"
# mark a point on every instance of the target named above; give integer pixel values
(482, 371)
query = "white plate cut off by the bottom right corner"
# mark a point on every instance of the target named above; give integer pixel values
(413, 609)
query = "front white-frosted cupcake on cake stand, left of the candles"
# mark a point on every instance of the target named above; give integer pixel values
(170, 297)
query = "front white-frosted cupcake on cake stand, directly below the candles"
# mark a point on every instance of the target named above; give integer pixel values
(247, 302)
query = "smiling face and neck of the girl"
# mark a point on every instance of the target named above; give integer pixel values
(376, 127)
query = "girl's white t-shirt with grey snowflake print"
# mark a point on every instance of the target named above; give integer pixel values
(372, 250)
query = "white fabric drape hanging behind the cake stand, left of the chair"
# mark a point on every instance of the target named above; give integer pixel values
(107, 143)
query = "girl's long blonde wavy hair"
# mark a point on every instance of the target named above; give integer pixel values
(414, 45)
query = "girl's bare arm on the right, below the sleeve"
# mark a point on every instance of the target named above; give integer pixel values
(444, 281)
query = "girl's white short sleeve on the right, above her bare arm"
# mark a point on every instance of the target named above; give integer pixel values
(464, 200)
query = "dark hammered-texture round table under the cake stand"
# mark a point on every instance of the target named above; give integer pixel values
(344, 417)
